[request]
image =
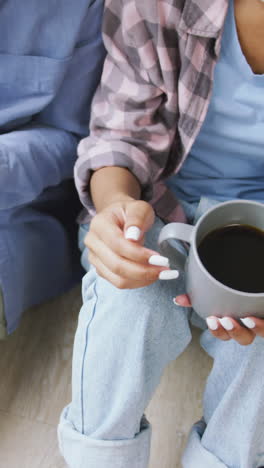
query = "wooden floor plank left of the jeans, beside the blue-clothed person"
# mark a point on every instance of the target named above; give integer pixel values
(36, 361)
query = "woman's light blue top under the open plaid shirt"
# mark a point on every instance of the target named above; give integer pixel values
(227, 158)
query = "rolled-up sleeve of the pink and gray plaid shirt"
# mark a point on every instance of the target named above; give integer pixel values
(134, 109)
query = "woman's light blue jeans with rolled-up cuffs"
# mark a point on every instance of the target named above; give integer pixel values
(124, 340)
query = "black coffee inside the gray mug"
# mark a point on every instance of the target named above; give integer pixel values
(234, 255)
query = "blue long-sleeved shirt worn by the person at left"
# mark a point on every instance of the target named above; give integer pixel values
(50, 62)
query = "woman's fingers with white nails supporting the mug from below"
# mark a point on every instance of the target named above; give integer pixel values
(227, 328)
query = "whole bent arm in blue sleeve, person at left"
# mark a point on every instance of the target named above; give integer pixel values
(43, 153)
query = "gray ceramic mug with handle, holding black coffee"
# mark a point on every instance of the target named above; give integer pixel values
(208, 296)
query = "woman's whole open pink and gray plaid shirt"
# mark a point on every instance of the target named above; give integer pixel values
(154, 93)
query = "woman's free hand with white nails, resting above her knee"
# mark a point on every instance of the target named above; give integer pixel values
(115, 243)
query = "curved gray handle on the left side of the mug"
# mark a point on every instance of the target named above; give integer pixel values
(175, 231)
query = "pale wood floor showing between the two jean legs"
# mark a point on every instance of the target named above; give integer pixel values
(177, 404)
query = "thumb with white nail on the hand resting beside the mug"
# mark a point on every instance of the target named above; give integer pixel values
(139, 217)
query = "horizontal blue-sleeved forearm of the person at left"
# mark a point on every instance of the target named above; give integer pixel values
(32, 159)
